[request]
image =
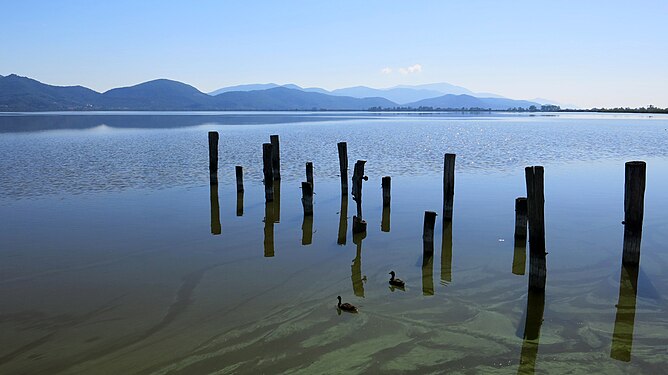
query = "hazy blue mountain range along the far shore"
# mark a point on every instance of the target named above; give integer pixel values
(25, 94)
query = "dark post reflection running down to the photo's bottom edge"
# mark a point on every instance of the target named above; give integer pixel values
(532, 325)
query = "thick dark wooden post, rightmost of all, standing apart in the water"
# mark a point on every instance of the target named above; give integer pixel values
(634, 206)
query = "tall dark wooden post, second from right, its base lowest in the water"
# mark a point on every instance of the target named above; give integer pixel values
(536, 214)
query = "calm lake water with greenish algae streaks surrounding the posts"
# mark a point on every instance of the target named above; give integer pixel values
(118, 257)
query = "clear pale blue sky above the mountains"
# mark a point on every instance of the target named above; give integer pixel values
(587, 53)
